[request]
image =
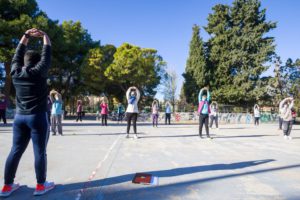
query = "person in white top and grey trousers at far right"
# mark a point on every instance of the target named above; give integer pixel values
(285, 108)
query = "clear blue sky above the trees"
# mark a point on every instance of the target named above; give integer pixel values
(166, 25)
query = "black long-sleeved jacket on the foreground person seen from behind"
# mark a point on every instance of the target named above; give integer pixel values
(30, 81)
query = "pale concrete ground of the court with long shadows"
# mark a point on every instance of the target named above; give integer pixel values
(95, 162)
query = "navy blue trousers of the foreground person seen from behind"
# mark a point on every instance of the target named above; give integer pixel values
(26, 127)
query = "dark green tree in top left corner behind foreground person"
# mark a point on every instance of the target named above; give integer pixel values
(15, 17)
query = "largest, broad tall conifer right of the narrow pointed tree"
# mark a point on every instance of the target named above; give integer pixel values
(239, 50)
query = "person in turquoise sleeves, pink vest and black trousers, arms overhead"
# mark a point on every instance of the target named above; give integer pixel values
(204, 111)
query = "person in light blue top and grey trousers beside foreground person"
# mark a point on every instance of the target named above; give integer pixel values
(56, 112)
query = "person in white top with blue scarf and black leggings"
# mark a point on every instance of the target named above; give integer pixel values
(133, 96)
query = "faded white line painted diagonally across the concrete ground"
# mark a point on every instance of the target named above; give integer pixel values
(93, 174)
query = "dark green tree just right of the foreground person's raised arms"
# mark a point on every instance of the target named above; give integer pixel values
(65, 73)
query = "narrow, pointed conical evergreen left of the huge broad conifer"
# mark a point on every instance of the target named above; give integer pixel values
(197, 71)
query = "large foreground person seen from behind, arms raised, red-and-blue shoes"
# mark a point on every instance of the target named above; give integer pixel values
(29, 73)
